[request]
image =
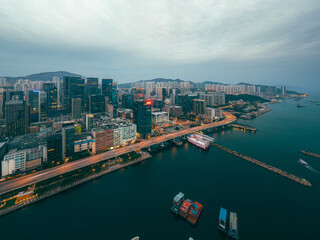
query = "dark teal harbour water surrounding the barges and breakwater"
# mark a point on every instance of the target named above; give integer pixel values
(136, 200)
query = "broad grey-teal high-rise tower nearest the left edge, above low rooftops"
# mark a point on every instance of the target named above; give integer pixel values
(17, 118)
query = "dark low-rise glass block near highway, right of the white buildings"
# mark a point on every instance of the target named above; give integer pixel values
(54, 149)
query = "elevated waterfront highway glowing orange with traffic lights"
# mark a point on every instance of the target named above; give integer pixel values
(23, 181)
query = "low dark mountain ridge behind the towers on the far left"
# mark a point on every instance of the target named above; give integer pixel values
(45, 76)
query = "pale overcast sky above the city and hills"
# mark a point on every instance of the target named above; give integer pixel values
(256, 41)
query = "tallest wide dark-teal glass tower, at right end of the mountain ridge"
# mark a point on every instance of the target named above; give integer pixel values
(73, 87)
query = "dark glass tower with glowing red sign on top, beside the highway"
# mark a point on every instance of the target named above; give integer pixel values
(142, 117)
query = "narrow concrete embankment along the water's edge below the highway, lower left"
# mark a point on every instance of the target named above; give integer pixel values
(56, 190)
